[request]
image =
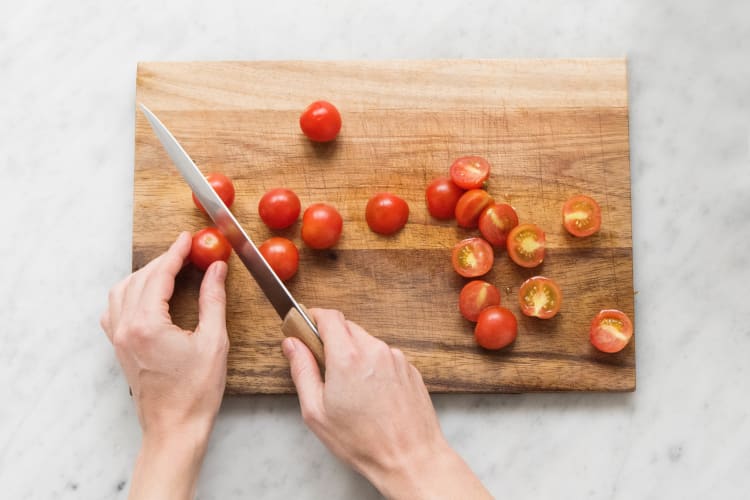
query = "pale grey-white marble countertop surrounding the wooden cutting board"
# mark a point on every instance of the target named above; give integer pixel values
(67, 73)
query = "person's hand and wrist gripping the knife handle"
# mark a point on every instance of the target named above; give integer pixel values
(374, 412)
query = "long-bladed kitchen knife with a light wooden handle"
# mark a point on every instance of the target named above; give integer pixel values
(296, 321)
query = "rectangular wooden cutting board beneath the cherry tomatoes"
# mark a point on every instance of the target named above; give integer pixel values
(550, 129)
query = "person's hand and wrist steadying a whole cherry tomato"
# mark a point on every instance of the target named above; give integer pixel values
(177, 377)
